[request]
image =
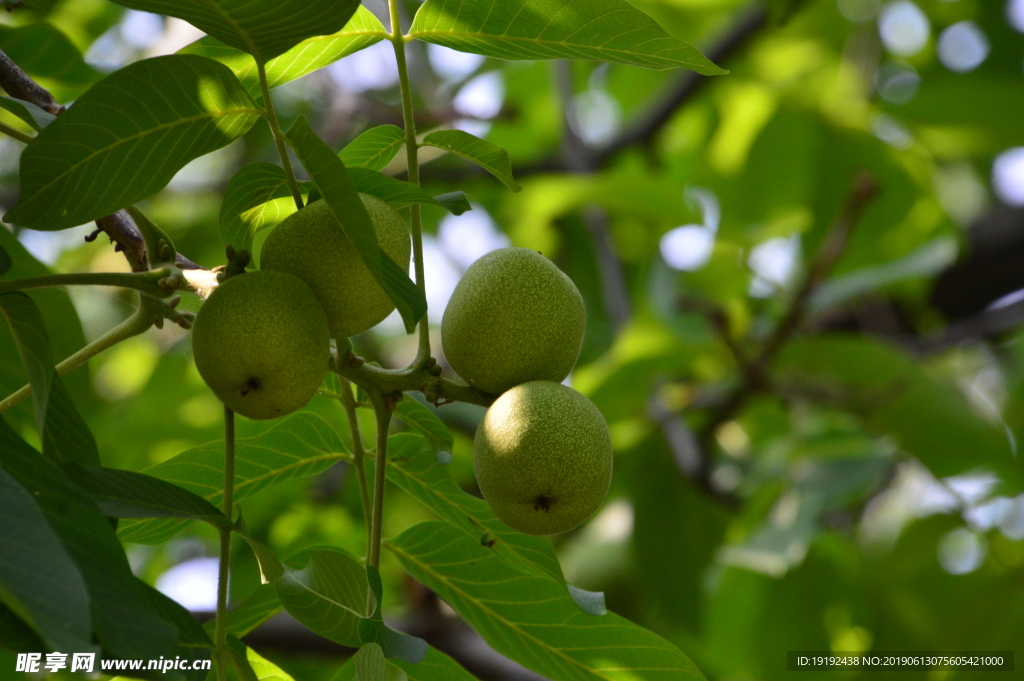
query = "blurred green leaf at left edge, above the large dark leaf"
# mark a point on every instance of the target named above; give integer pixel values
(47, 55)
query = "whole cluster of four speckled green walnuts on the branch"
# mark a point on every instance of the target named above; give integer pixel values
(514, 328)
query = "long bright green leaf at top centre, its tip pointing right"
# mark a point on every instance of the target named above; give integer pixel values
(600, 30)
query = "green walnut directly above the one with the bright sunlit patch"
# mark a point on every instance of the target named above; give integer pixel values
(514, 318)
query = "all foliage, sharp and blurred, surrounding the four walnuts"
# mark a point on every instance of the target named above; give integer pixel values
(814, 451)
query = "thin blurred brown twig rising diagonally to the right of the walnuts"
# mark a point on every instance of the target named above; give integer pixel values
(754, 380)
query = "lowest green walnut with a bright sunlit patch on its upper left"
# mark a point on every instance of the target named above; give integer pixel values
(543, 458)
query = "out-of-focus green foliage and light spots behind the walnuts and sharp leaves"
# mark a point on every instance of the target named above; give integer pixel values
(866, 493)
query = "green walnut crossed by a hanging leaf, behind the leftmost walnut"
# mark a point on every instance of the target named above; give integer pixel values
(311, 245)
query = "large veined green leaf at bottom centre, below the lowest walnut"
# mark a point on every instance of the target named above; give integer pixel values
(532, 619)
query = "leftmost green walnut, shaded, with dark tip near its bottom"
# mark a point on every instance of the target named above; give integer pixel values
(262, 344)
